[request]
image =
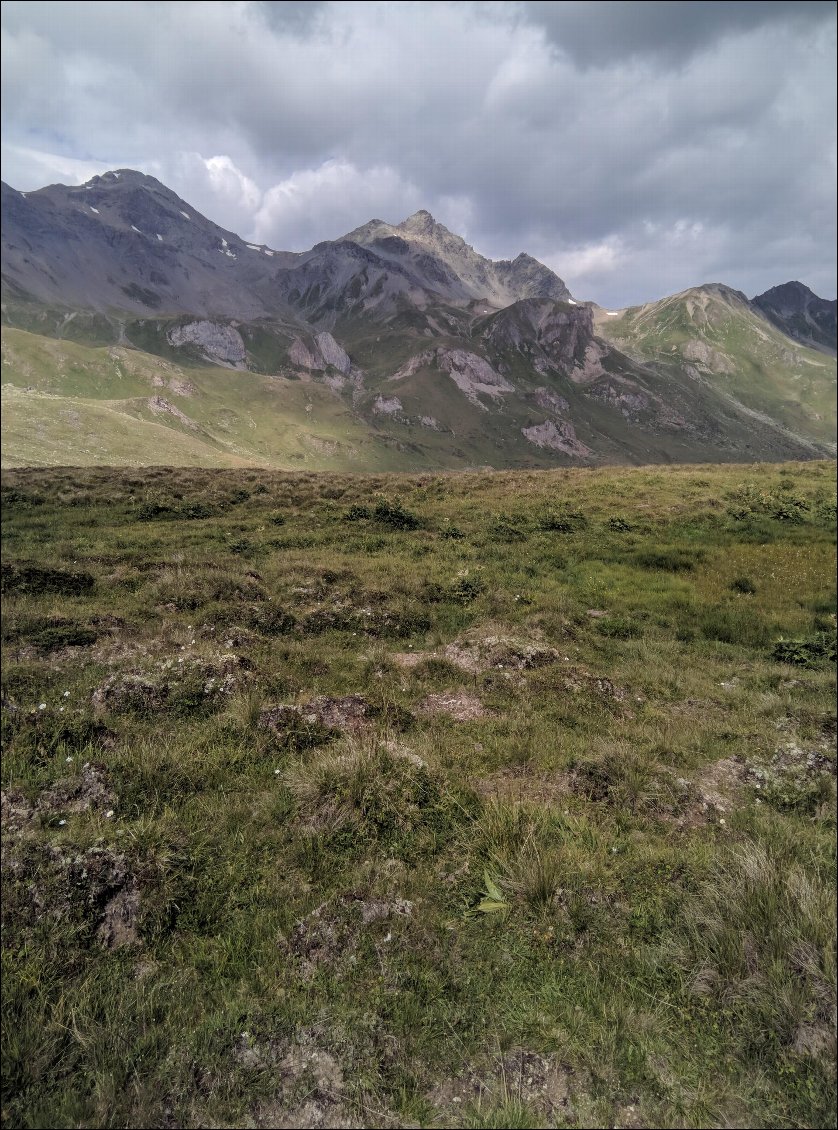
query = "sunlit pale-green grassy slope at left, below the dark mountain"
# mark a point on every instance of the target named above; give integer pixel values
(189, 415)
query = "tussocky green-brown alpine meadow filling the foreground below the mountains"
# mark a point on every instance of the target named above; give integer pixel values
(491, 801)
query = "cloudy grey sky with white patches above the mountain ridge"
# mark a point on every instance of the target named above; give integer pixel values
(638, 149)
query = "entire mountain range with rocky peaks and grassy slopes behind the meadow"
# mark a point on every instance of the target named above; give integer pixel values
(398, 346)
